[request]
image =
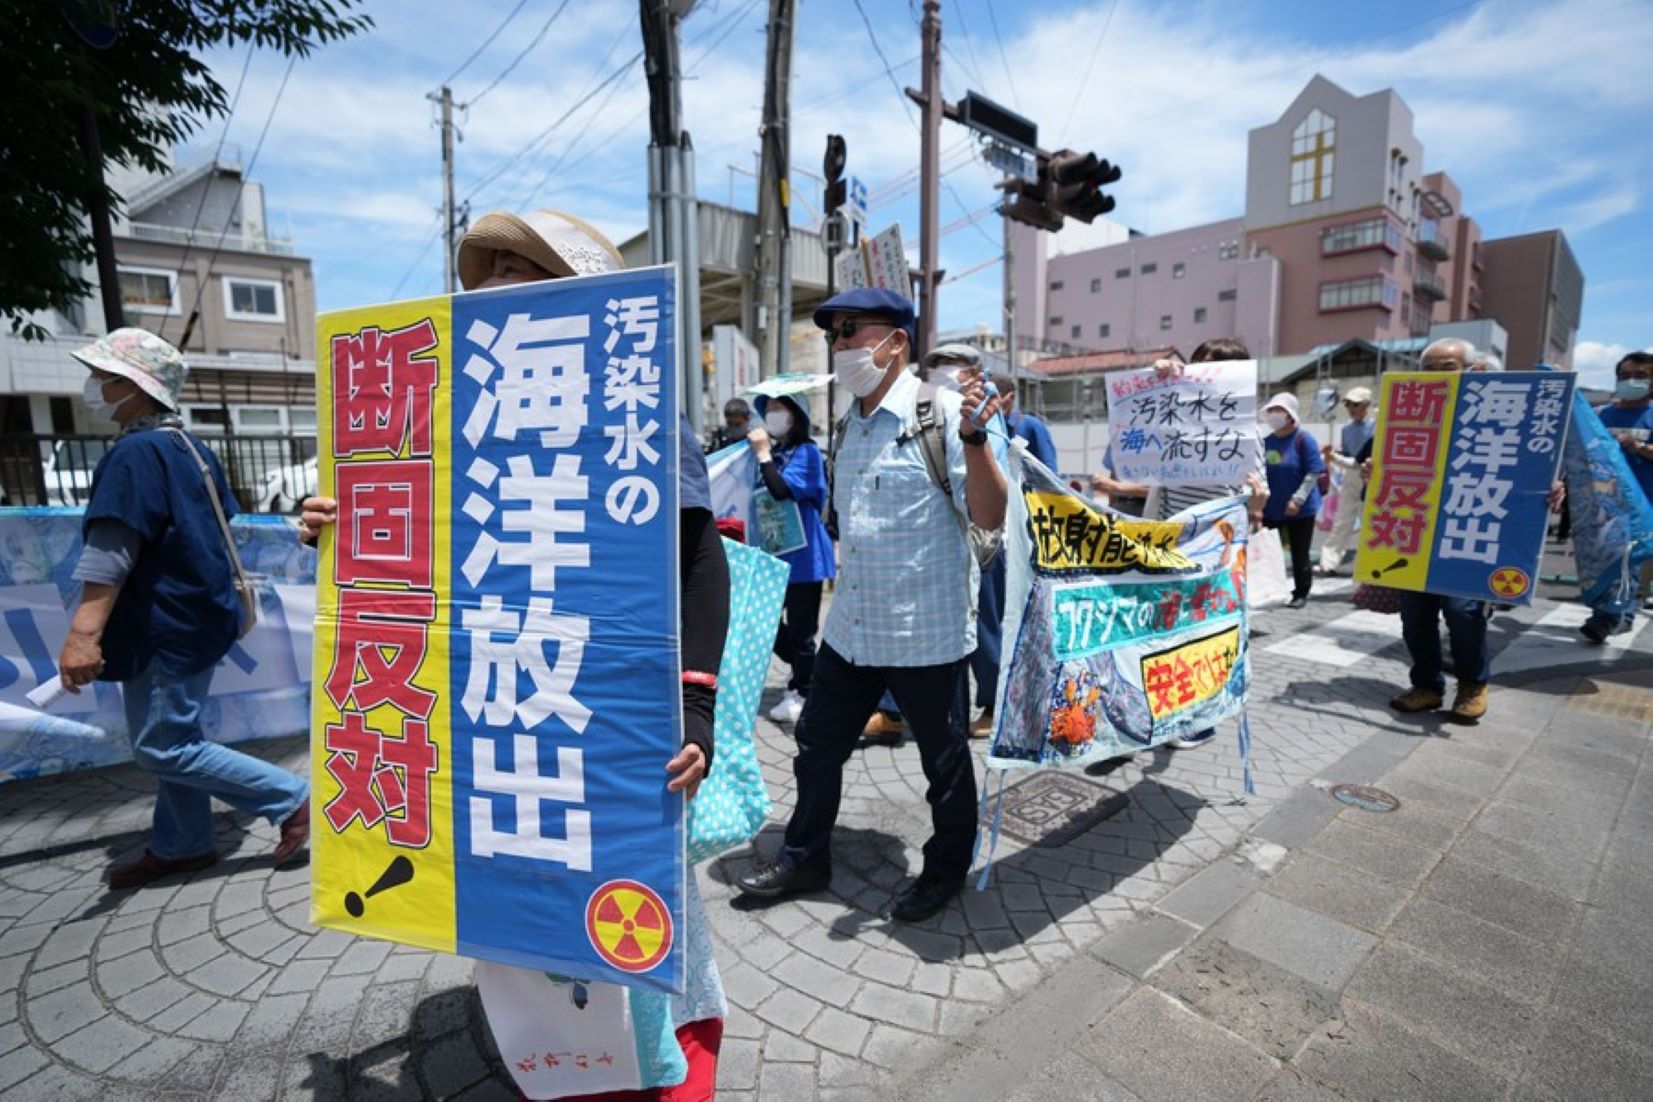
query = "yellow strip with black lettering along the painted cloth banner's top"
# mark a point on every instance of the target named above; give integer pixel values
(1072, 536)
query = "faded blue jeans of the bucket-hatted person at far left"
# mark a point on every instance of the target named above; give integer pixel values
(163, 720)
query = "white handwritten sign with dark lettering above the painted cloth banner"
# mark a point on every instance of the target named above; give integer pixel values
(1198, 429)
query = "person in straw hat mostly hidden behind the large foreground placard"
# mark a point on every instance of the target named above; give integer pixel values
(503, 250)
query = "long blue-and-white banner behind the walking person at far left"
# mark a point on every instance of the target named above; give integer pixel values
(259, 691)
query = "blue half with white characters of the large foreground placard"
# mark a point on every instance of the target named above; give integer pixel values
(564, 531)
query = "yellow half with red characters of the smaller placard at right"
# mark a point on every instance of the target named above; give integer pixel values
(1409, 477)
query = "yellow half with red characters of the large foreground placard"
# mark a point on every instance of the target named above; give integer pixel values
(381, 749)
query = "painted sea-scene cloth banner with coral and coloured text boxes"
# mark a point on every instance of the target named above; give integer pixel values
(1120, 634)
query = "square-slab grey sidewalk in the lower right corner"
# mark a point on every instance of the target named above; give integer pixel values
(1487, 939)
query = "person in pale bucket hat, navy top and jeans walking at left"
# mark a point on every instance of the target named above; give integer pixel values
(160, 609)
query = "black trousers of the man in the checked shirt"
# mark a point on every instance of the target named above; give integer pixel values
(842, 700)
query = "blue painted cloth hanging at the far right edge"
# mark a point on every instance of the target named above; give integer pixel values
(1613, 521)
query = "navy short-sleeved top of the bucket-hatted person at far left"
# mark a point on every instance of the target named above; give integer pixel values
(179, 602)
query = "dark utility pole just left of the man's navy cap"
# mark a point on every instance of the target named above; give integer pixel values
(774, 197)
